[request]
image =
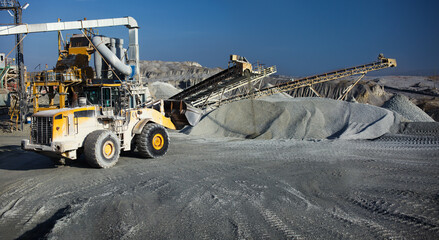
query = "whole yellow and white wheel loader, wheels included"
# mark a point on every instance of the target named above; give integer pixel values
(99, 133)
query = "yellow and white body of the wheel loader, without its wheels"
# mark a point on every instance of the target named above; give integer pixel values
(60, 133)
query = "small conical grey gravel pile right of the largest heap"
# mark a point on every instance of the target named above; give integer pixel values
(403, 106)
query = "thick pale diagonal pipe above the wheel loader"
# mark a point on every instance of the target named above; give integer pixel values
(112, 59)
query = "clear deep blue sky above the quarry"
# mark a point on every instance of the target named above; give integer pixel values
(300, 37)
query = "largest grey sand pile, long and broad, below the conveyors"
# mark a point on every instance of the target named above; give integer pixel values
(298, 118)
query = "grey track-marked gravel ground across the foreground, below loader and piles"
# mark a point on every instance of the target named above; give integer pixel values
(226, 188)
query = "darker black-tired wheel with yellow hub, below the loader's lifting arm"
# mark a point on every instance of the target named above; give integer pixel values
(153, 141)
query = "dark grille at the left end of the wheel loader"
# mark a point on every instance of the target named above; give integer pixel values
(41, 132)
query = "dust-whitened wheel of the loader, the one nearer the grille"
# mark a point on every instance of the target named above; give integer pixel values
(102, 149)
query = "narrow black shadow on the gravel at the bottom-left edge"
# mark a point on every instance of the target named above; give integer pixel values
(43, 229)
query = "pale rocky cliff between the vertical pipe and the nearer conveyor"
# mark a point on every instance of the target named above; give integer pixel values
(152, 71)
